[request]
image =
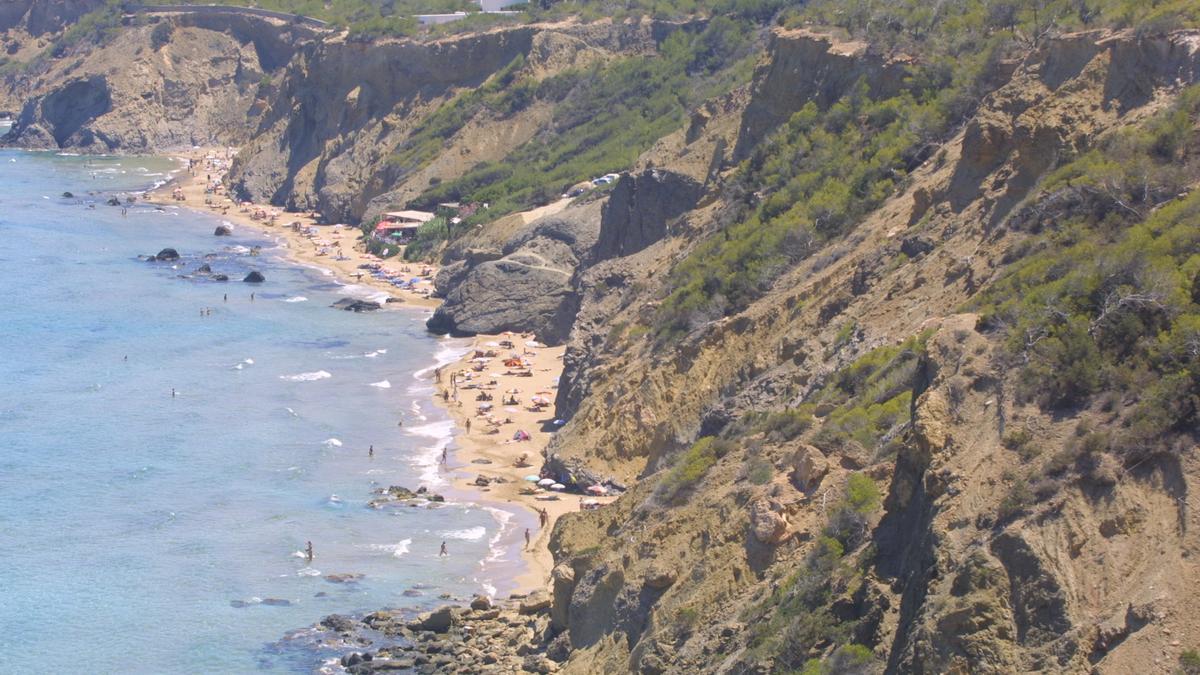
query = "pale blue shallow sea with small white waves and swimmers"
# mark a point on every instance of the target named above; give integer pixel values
(131, 522)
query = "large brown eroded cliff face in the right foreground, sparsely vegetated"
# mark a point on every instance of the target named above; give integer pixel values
(1093, 578)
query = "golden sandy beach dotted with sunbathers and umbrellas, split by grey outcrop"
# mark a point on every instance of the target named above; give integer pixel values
(500, 441)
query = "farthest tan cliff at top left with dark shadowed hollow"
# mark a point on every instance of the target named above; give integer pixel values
(206, 82)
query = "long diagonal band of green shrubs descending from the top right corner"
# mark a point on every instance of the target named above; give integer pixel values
(826, 169)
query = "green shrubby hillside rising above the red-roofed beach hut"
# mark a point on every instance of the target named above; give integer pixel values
(605, 116)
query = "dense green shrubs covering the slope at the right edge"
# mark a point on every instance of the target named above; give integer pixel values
(1103, 300)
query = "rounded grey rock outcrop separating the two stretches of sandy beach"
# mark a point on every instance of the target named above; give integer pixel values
(531, 289)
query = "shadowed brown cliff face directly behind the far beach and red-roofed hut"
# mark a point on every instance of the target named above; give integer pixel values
(346, 109)
